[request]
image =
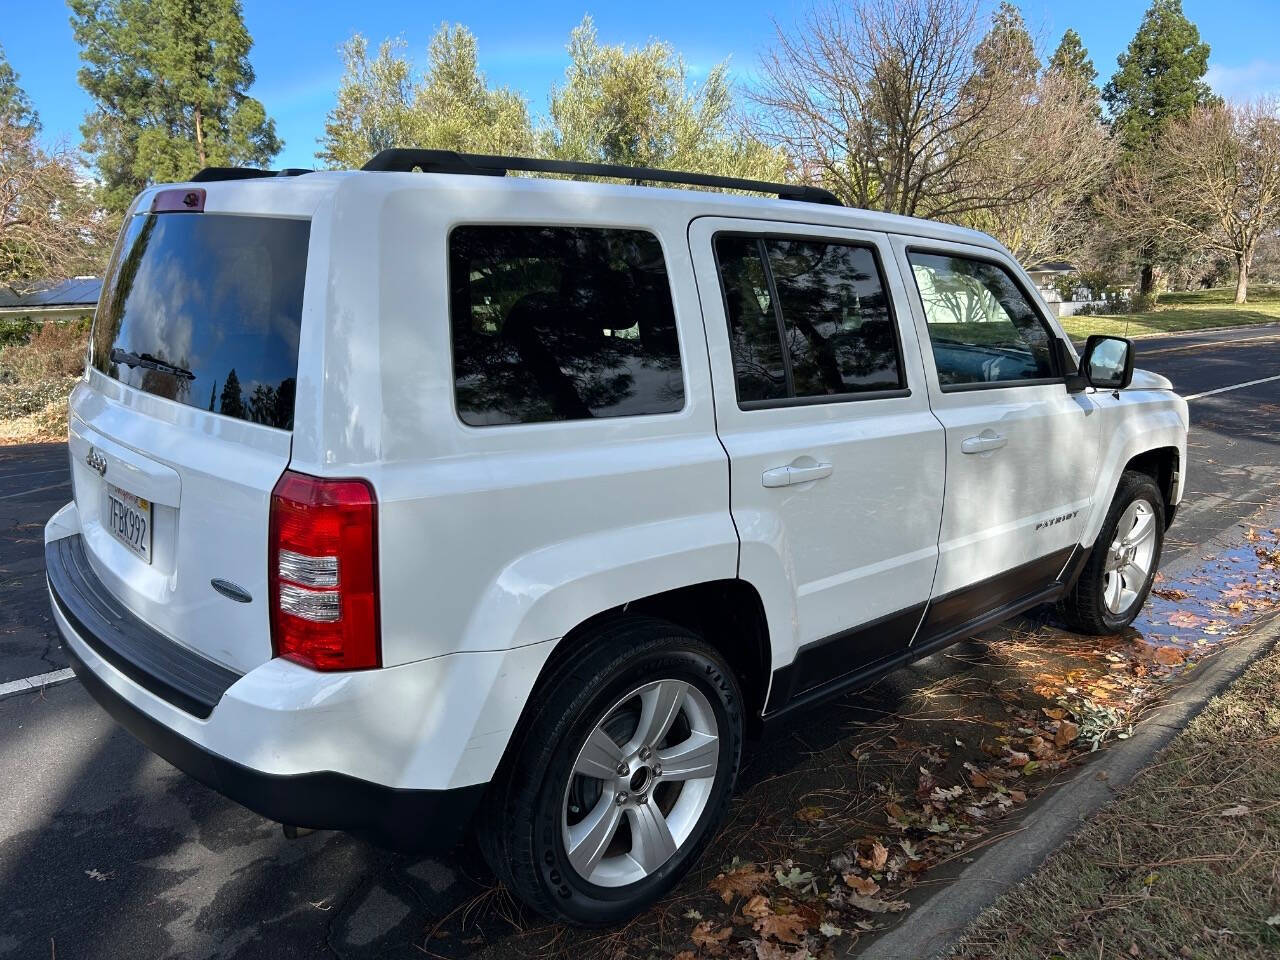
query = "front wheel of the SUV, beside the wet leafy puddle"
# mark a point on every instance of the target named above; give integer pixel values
(1122, 566)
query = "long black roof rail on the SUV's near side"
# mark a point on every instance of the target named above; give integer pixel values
(408, 159)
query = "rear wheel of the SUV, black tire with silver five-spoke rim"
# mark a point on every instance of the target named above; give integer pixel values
(619, 778)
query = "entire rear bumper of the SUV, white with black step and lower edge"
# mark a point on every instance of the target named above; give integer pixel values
(401, 755)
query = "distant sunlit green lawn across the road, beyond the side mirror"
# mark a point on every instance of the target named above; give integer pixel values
(1201, 310)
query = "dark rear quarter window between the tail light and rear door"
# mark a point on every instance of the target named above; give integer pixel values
(560, 323)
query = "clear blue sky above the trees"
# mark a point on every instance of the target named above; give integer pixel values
(523, 45)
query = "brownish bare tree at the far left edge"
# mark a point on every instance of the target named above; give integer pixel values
(51, 227)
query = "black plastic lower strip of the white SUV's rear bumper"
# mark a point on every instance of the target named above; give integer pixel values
(406, 820)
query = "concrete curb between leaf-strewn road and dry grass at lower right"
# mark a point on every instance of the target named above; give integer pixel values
(934, 927)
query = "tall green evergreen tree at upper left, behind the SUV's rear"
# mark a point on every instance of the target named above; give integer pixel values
(170, 81)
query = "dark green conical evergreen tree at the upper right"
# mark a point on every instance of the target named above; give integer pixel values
(1160, 77)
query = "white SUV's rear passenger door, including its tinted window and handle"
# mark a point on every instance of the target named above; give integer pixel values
(836, 461)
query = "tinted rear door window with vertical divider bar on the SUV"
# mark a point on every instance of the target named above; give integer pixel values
(808, 319)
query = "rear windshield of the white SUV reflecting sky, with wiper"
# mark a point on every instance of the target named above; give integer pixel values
(205, 310)
